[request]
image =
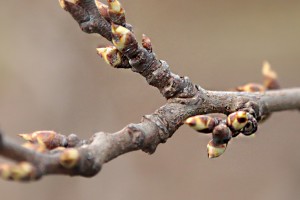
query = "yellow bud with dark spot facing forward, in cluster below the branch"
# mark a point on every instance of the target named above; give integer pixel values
(237, 120)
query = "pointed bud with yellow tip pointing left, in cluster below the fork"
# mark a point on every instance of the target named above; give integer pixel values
(201, 123)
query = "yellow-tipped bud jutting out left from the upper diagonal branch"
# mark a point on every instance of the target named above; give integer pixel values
(111, 55)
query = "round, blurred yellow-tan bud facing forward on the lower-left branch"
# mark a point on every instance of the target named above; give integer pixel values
(69, 158)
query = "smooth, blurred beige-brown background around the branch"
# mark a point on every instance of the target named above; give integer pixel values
(51, 78)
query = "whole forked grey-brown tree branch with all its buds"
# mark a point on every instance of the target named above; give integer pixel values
(47, 152)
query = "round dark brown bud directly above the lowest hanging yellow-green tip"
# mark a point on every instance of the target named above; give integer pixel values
(221, 134)
